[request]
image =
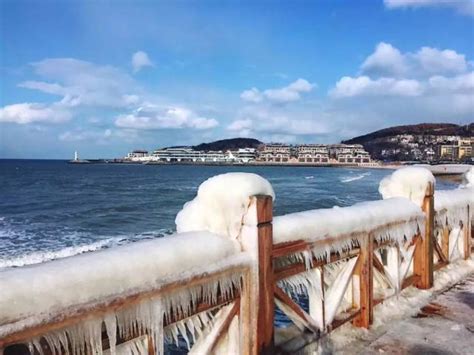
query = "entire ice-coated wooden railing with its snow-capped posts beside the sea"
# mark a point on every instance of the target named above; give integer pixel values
(216, 286)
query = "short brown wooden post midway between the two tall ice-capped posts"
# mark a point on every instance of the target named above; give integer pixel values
(364, 272)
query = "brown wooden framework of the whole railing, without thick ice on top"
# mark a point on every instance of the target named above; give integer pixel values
(342, 287)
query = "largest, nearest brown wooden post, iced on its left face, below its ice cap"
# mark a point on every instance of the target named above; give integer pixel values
(257, 296)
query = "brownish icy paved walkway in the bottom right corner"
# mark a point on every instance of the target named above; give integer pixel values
(445, 326)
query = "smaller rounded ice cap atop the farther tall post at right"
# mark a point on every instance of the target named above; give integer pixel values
(411, 182)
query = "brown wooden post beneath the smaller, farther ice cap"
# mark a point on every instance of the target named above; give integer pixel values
(423, 258)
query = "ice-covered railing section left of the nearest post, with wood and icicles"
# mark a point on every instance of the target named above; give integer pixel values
(158, 288)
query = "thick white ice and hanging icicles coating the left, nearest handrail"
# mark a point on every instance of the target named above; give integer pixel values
(36, 294)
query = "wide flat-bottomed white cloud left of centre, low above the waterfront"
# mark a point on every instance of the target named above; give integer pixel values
(151, 117)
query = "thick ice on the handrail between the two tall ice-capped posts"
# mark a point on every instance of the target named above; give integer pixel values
(394, 219)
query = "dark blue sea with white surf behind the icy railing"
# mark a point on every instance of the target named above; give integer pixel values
(50, 209)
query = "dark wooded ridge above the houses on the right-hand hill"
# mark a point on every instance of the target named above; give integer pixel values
(435, 129)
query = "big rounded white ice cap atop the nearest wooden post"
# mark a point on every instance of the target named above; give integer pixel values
(221, 203)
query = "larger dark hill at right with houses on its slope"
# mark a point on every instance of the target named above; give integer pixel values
(384, 145)
